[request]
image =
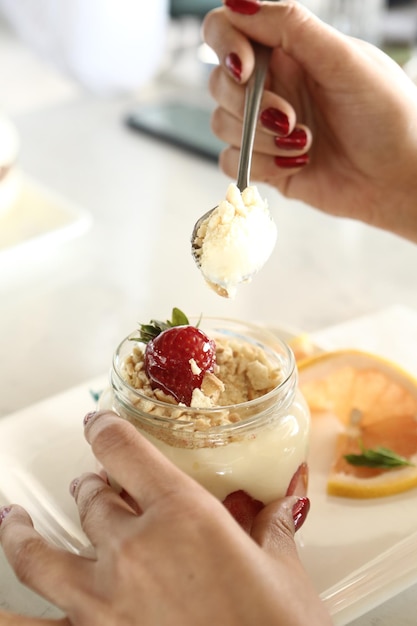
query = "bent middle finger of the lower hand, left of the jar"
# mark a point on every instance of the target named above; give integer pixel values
(101, 509)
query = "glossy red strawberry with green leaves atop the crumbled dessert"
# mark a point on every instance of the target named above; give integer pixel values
(177, 356)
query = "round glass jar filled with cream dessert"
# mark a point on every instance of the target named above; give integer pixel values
(256, 446)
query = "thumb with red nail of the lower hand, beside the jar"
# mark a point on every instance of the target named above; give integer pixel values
(274, 527)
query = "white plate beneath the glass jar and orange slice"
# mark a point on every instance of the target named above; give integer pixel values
(358, 553)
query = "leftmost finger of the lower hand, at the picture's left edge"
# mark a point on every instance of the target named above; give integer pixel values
(50, 572)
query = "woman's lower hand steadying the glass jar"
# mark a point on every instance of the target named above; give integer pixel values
(167, 553)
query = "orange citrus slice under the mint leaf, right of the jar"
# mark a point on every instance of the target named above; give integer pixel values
(376, 402)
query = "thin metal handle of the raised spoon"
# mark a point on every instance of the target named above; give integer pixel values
(253, 97)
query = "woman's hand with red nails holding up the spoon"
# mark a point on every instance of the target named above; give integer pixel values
(338, 124)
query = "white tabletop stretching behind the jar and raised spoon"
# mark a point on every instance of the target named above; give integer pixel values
(64, 309)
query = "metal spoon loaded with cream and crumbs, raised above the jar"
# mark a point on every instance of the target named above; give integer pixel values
(233, 241)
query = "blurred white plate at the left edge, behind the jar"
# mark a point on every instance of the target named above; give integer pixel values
(38, 219)
